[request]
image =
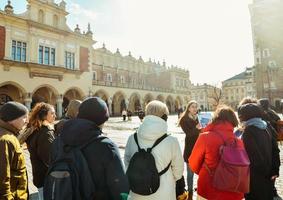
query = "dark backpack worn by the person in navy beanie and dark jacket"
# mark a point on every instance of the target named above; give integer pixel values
(68, 176)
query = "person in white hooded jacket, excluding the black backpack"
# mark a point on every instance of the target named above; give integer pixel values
(153, 127)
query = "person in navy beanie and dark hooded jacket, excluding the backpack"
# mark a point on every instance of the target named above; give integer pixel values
(102, 156)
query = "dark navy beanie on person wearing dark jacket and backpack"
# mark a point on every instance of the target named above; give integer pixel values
(94, 109)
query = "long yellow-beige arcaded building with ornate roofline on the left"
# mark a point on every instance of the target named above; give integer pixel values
(42, 59)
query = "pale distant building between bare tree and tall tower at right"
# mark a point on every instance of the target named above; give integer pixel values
(239, 86)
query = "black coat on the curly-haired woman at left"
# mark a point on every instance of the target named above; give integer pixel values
(39, 146)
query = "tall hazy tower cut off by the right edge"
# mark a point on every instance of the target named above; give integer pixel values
(266, 21)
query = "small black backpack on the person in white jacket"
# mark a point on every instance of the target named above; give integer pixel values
(142, 172)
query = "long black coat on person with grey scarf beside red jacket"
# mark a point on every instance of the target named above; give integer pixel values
(258, 144)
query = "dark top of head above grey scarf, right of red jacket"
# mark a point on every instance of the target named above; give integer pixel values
(249, 111)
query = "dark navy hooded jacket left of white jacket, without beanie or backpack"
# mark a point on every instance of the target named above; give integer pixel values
(103, 158)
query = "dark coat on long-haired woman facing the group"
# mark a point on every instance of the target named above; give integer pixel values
(188, 125)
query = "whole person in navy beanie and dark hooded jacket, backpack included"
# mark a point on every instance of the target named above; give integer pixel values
(91, 159)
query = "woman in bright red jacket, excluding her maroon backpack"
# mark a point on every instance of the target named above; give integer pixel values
(206, 150)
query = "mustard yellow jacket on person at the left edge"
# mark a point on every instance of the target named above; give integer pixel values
(13, 174)
